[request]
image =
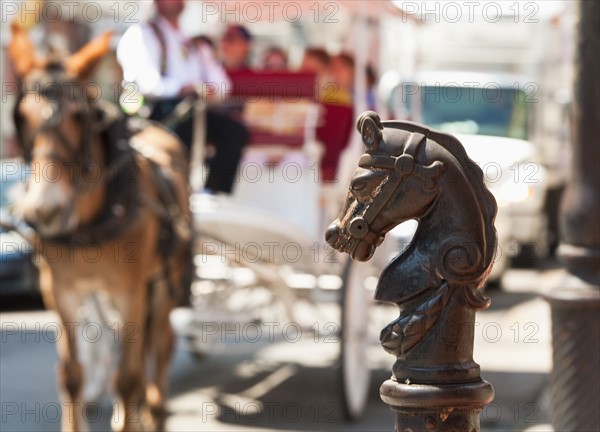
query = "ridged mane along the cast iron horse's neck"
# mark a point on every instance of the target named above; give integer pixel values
(473, 174)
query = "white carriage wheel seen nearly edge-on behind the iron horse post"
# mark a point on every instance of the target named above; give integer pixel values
(354, 367)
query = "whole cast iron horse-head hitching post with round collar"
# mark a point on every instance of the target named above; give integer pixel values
(411, 172)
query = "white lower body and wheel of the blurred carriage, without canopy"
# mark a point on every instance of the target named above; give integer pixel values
(261, 255)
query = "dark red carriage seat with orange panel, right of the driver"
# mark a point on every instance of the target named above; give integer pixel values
(285, 109)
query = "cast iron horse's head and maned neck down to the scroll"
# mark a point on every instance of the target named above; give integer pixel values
(411, 172)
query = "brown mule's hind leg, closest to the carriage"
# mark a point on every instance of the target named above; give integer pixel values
(160, 343)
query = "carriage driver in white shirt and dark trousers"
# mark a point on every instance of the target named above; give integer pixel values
(166, 67)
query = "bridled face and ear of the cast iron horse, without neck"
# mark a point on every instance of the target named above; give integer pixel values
(388, 188)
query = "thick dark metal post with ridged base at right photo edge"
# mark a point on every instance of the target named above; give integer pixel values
(575, 377)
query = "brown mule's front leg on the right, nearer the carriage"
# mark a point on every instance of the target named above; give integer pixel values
(130, 380)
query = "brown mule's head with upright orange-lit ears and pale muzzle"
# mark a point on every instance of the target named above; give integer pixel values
(54, 118)
